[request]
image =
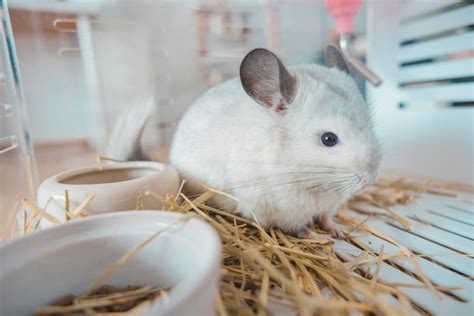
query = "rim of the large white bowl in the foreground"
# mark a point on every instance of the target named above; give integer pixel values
(186, 290)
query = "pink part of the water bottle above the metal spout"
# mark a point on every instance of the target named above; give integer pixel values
(343, 11)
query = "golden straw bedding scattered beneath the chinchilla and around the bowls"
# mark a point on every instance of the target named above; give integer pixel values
(264, 271)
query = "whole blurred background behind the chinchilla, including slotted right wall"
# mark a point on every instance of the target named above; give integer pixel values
(82, 62)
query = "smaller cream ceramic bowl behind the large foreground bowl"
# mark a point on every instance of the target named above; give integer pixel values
(115, 186)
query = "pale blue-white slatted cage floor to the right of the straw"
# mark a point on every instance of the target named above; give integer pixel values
(442, 237)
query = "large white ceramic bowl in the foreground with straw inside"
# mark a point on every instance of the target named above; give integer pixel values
(66, 259)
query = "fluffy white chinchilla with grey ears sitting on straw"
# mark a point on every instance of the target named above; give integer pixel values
(292, 145)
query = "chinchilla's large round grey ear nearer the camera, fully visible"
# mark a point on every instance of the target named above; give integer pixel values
(266, 80)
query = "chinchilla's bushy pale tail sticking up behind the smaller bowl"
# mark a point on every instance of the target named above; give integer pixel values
(124, 142)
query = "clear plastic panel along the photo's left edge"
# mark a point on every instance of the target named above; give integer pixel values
(18, 177)
